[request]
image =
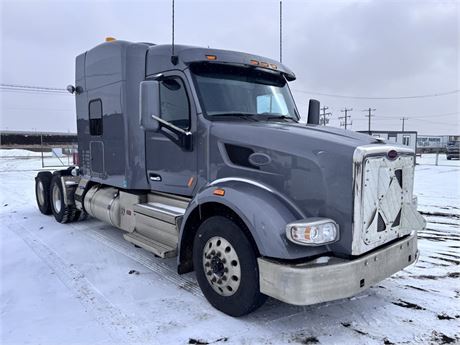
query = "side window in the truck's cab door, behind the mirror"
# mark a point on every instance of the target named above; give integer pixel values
(175, 107)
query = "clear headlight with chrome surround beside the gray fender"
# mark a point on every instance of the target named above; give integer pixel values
(313, 231)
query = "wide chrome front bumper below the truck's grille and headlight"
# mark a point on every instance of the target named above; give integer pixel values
(329, 278)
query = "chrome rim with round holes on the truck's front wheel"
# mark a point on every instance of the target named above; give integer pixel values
(221, 266)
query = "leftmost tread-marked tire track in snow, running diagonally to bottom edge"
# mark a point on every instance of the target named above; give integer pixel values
(119, 326)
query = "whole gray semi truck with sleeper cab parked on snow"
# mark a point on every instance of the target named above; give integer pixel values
(199, 154)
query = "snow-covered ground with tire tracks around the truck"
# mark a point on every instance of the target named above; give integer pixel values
(83, 284)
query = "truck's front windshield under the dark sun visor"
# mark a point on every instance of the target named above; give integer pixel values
(229, 90)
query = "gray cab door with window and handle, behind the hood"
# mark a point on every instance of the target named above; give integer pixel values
(172, 168)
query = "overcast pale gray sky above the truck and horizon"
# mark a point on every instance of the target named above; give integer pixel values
(374, 48)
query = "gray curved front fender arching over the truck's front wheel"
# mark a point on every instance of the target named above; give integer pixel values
(264, 211)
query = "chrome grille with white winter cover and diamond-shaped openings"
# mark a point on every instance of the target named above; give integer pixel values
(383, 200)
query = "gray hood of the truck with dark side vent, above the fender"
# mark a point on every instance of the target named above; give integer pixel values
(310, 165)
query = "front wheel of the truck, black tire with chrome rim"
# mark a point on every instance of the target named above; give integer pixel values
(226, 267)
